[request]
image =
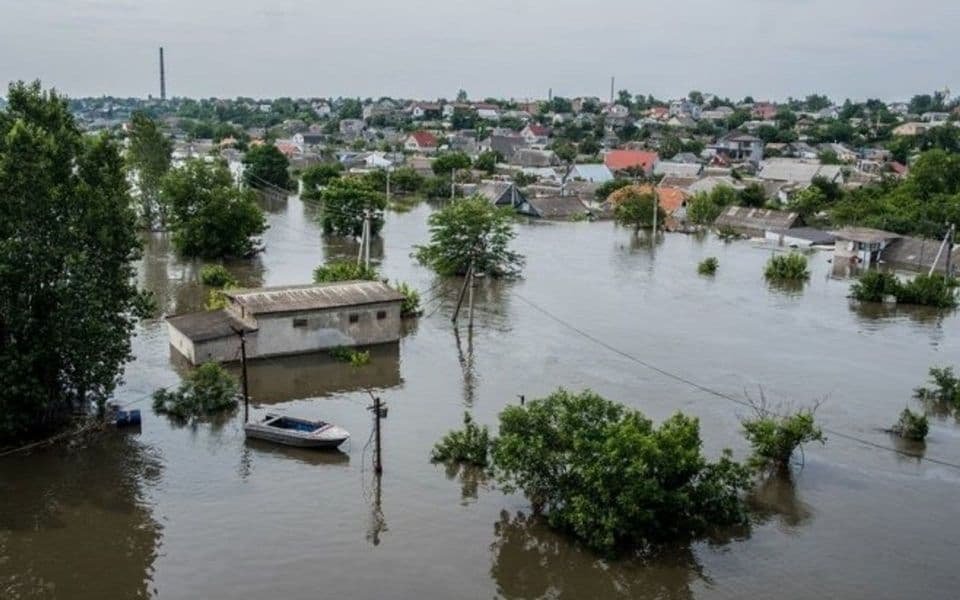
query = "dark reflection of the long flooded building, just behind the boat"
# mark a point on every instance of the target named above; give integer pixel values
(280, 379)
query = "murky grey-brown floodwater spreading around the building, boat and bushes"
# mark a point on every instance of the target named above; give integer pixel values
(196, 512)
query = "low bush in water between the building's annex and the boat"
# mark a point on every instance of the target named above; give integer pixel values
(207, 390)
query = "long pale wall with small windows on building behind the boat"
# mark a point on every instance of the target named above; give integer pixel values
(309, 331)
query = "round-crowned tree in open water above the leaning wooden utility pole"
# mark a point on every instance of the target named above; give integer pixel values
(471, 229)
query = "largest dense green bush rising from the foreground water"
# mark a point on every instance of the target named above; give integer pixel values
(605, 474)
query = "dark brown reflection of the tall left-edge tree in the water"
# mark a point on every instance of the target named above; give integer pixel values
(58, 504)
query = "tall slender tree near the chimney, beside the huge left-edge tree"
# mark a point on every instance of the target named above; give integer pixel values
(148, 154)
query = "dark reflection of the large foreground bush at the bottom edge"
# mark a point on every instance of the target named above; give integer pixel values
(531, 561)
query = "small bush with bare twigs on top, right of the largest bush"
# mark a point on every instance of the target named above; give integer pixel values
(775, 438)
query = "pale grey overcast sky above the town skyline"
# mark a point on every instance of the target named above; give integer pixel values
(510, 48)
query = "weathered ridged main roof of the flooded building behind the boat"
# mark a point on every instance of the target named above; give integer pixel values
(313, 297)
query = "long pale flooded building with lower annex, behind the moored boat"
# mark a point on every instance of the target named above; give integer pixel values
(290, 320)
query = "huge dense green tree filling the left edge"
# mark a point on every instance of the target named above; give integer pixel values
(68, 234)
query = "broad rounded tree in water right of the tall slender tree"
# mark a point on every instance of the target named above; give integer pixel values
(210, 216)
